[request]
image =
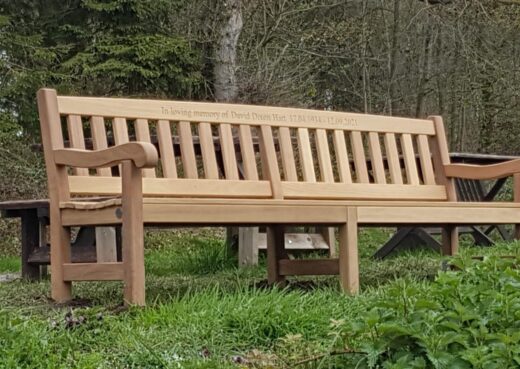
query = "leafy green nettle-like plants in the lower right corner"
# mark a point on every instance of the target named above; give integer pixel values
(467, 319)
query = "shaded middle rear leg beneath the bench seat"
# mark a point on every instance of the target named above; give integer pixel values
(275, 252)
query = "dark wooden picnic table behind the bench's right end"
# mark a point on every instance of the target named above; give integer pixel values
(467, 190)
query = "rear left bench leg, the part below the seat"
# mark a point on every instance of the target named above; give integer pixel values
(61, 291)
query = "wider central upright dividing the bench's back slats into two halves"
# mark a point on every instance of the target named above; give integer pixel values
(270, 161)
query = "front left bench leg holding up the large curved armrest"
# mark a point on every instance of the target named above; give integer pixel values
(133, 235)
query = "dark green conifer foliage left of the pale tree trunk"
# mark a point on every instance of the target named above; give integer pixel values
(114, 47)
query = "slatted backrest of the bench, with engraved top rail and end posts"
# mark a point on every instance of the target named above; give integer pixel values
(227, 150)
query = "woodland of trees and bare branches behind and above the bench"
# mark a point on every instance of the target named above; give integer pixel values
(457, 58)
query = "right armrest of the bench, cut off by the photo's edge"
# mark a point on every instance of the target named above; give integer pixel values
(491, 171)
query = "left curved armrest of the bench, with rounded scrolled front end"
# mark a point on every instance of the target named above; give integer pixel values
(143, 154)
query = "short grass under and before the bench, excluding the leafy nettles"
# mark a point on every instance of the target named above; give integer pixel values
(202, 312)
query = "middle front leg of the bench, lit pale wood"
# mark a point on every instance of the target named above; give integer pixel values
(348, 253)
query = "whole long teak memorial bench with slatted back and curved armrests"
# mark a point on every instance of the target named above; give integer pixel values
(302, 176)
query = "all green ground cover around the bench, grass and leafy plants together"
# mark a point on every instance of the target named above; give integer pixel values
(204, 312)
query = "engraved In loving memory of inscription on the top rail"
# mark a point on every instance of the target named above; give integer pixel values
(248, 116)
